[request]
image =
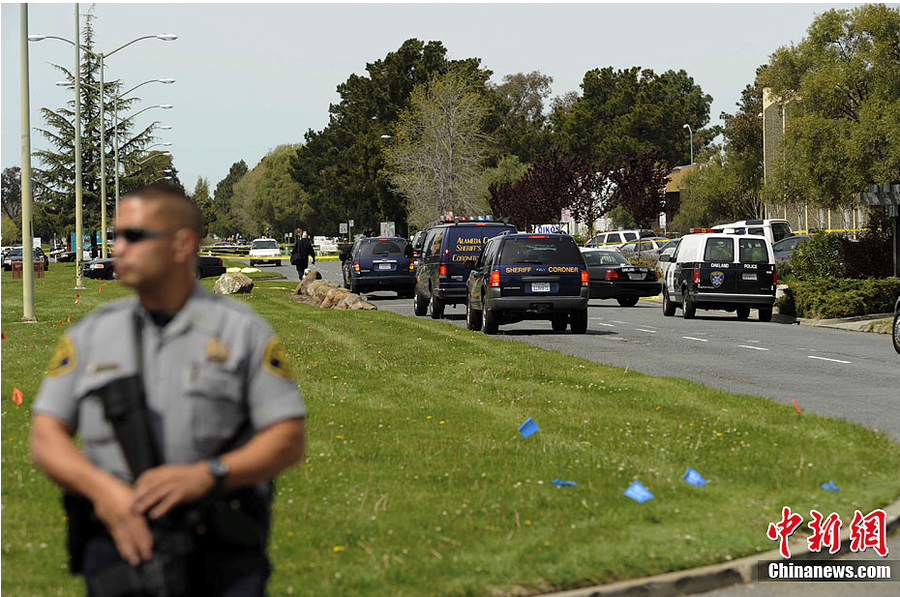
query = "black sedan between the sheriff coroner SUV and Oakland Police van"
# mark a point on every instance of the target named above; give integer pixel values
(612, 276)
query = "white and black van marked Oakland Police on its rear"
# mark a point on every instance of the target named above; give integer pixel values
(720, 271)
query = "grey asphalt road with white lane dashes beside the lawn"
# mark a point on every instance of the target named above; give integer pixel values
(832, 372)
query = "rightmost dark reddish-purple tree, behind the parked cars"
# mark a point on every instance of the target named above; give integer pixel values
(640, 187)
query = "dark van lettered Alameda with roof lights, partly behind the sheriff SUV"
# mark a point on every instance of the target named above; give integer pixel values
(441, 273)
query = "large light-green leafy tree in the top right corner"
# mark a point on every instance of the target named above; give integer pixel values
(841, 90)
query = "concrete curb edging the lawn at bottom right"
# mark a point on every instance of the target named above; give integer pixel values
(717, 576)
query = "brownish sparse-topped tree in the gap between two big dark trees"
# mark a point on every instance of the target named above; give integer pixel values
(522, 127)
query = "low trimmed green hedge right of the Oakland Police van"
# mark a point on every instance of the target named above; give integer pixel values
(830, 298)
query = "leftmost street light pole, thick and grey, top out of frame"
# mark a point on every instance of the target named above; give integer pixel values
(27, 233)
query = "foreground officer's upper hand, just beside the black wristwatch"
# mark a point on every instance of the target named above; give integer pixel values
(166, 486)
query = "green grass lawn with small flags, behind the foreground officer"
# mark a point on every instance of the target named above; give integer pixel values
(416, 481)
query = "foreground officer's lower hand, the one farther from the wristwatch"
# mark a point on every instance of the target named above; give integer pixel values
(128, 529)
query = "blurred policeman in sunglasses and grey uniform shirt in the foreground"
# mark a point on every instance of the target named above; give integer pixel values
(223, 408)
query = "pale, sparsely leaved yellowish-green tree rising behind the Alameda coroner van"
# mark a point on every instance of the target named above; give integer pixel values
(435, 157)
